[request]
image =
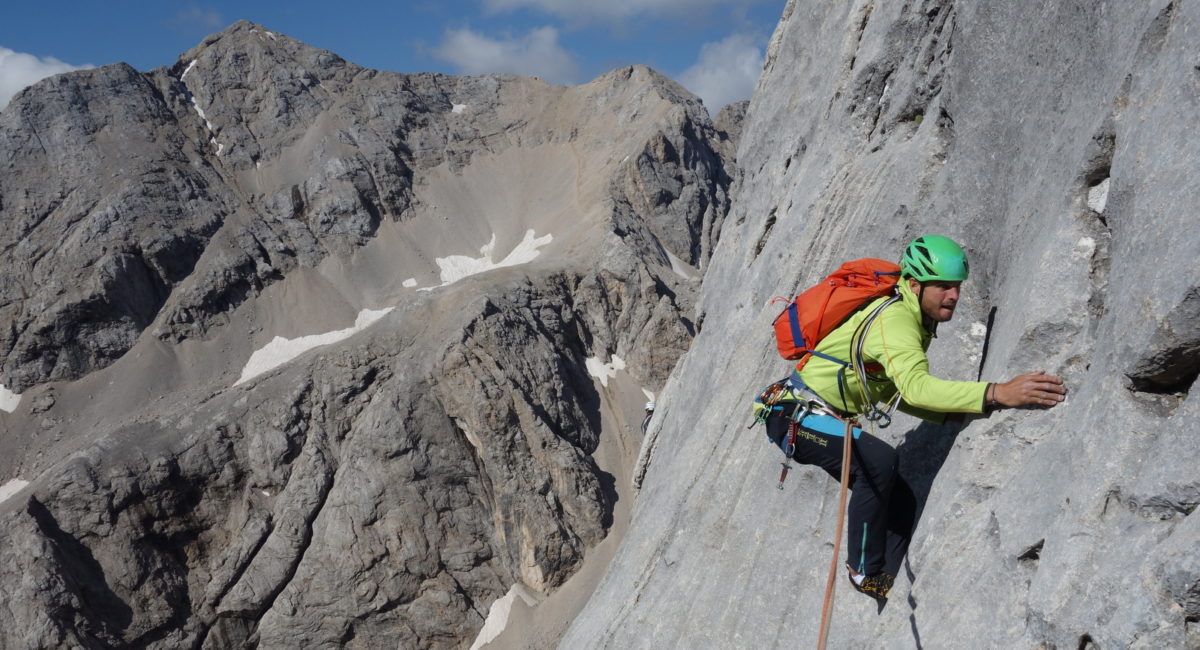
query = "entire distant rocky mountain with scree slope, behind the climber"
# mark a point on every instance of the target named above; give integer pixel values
(380, 492)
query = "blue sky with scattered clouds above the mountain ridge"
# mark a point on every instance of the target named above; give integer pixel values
(713, 47)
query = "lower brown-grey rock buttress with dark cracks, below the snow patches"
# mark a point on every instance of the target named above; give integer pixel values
(350, 490)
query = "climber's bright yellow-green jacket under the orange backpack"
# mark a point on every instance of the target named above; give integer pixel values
(898, 342)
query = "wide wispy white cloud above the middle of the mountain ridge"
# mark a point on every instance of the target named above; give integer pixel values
(537, 53)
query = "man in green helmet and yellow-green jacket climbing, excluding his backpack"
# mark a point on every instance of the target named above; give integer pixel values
(883, 508)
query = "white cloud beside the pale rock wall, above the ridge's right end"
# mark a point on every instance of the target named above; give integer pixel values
(727, 71)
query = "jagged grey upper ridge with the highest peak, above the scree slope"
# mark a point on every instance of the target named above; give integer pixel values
(279, 155)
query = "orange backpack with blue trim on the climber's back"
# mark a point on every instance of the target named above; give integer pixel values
(821, 309)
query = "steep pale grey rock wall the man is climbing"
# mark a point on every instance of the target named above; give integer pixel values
(1055, 141)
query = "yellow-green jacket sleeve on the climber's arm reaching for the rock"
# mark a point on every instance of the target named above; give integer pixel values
(896, 342)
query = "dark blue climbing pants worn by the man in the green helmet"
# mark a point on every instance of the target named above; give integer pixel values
(883, 508)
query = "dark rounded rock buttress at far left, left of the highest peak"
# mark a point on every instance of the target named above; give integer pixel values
(107, 207)
